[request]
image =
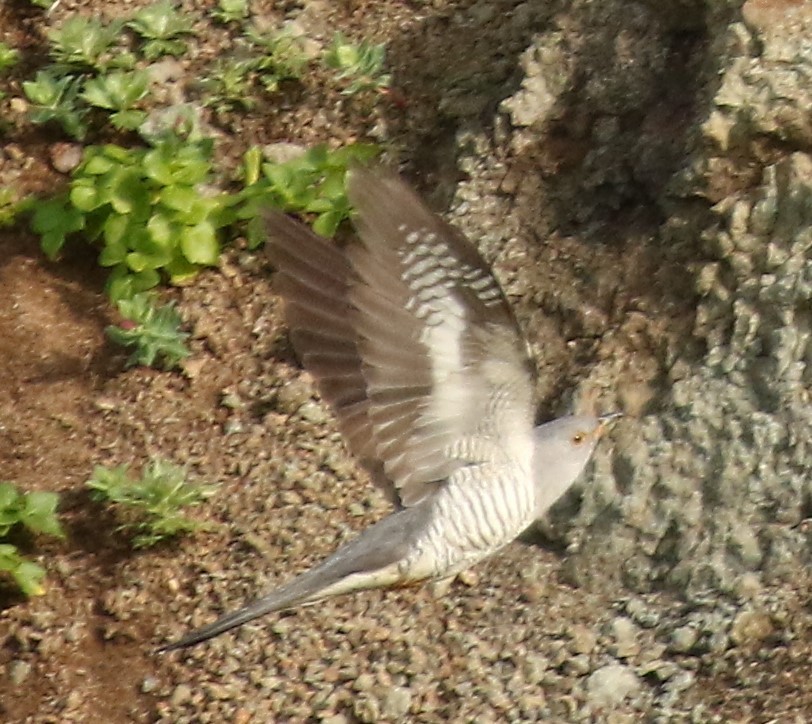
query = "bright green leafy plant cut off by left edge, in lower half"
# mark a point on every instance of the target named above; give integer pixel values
(35, 511)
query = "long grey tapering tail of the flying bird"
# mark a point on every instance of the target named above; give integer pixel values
(372, 560)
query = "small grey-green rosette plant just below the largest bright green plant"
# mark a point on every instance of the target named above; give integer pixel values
(153, 330)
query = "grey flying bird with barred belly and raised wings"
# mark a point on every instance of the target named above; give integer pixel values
(411, 342)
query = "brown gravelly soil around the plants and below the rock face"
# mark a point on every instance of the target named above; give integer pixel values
(512, 640)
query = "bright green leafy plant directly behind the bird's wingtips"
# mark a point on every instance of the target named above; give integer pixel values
(312, 183)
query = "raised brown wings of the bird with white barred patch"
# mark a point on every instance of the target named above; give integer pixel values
(409, 338)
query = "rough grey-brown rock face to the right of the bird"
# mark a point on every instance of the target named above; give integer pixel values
(673, 143)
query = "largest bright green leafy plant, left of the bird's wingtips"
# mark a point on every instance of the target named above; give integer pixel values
(148, 208)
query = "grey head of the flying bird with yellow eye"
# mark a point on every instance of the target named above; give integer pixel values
(562, 449)
